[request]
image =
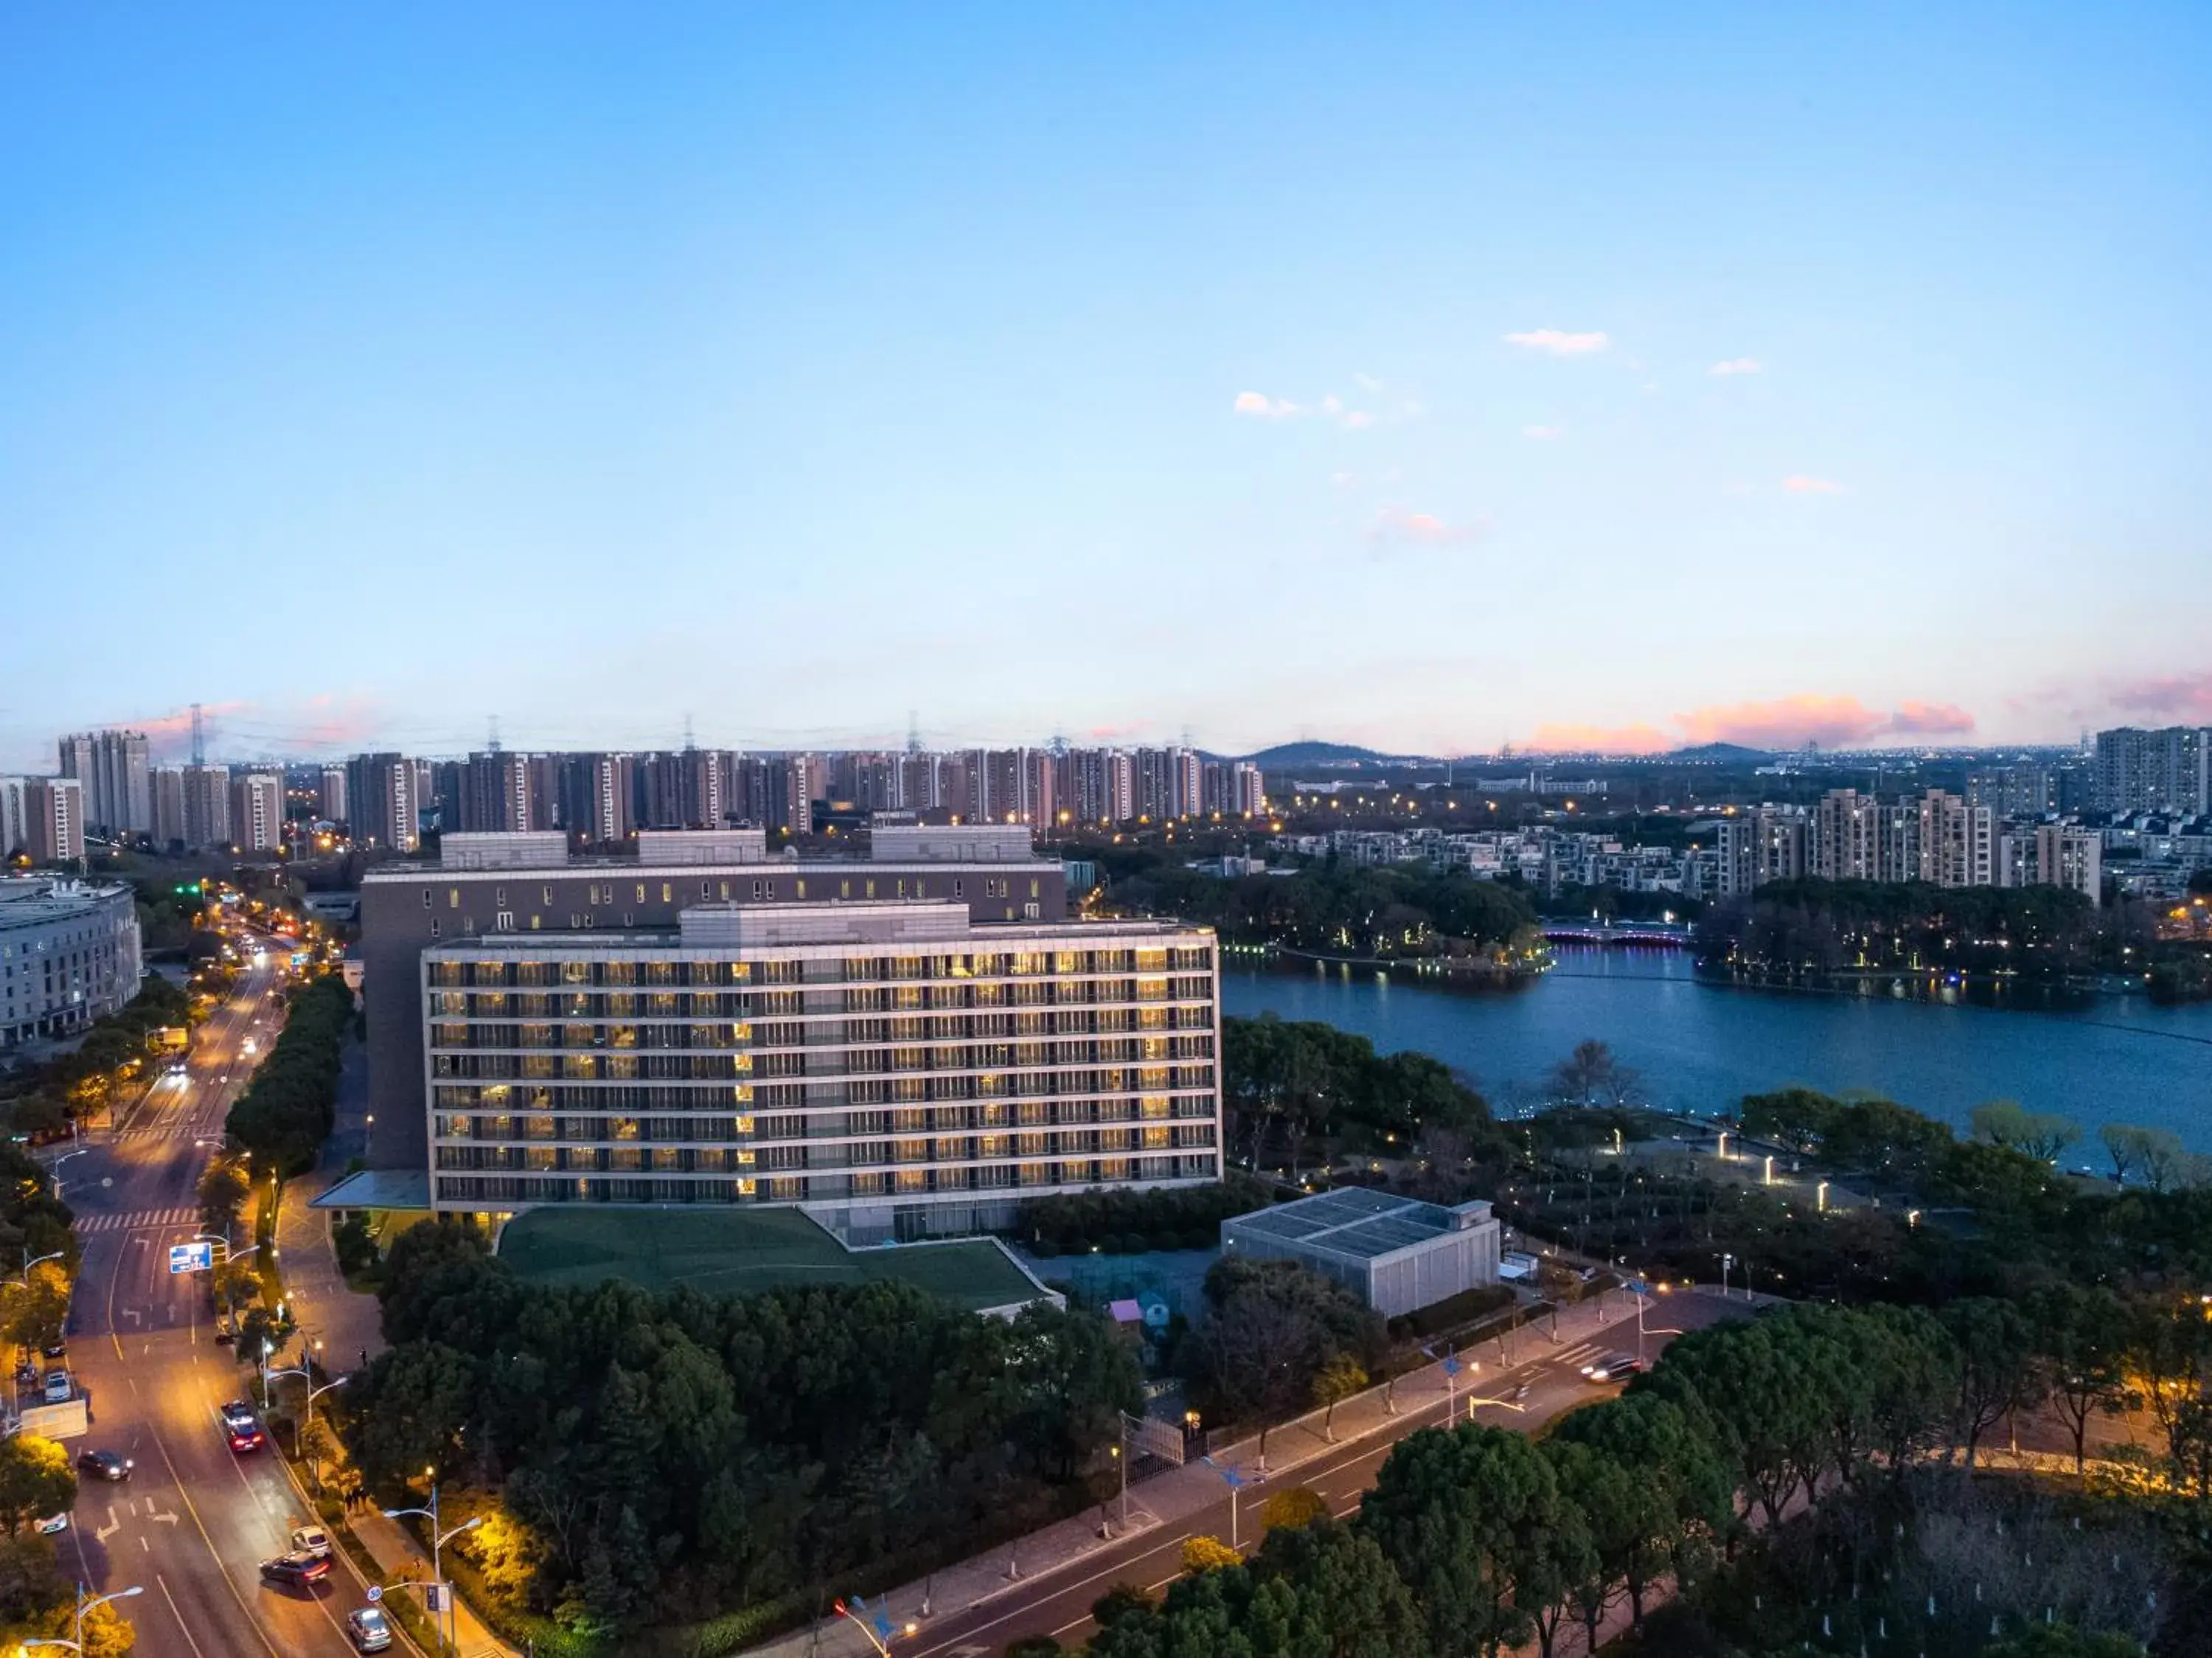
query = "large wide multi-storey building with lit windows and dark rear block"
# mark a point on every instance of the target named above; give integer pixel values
(906, 1046)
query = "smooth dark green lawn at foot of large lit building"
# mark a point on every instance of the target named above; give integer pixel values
(742, 1252)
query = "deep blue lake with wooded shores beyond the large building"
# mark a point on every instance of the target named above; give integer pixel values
(1700, 1048)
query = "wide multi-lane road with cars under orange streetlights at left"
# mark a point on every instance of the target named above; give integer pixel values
(196, 1522)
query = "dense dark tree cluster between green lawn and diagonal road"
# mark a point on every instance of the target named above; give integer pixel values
(667, 1458)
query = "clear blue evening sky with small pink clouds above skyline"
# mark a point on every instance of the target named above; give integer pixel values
(368, 373)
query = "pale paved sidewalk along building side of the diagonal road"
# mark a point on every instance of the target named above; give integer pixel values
(1173, 1498)
